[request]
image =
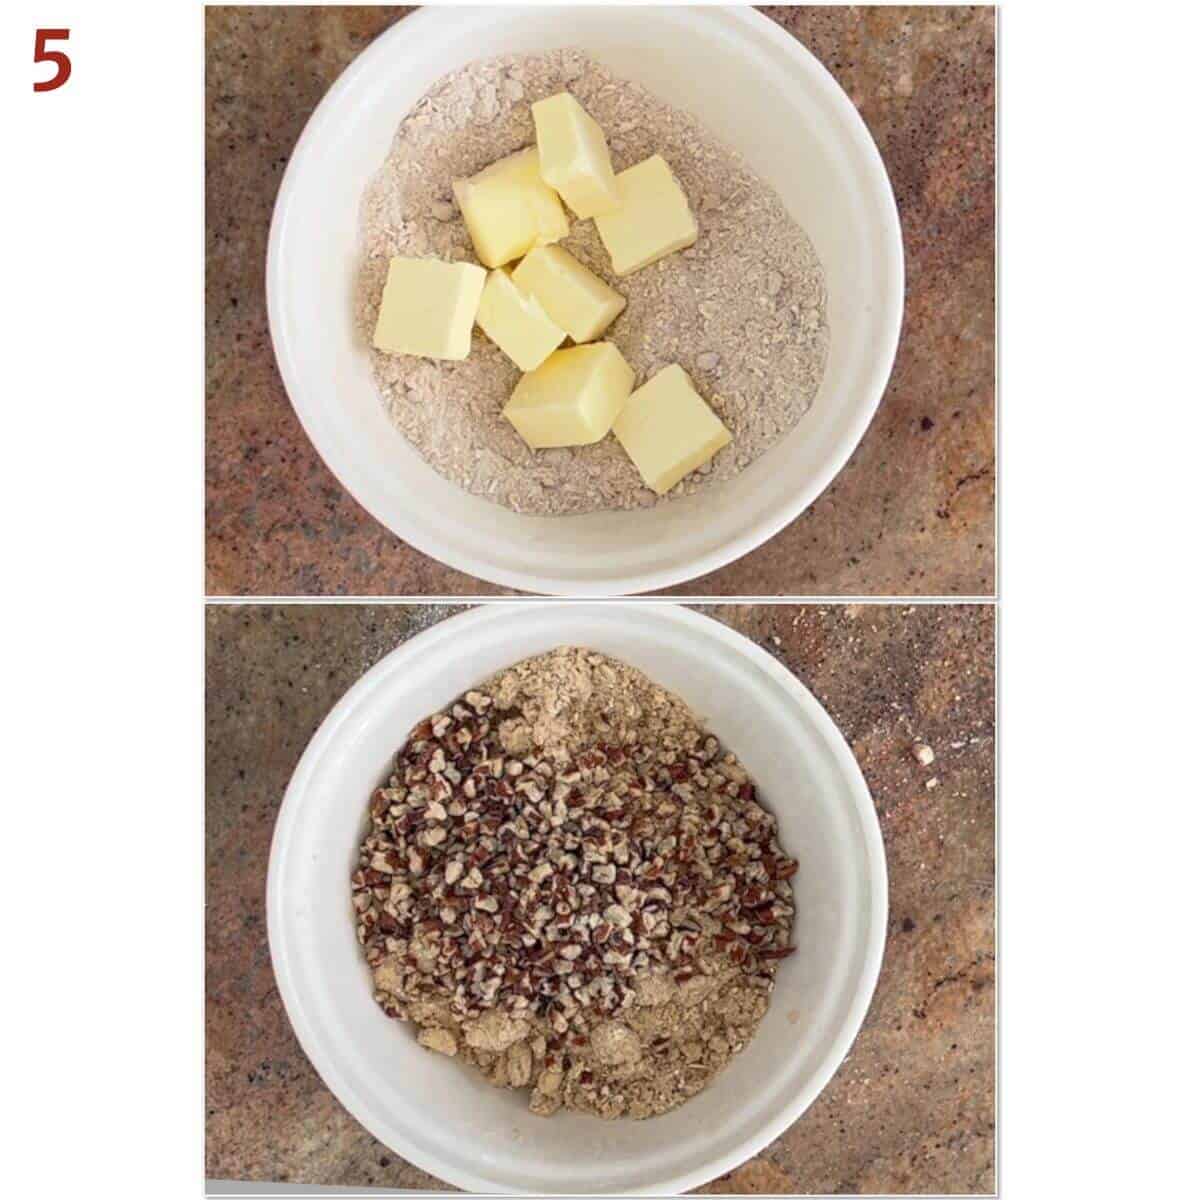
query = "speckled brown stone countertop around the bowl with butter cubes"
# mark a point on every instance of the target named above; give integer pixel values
(913, 514)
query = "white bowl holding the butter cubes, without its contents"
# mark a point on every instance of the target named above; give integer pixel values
(757, 88)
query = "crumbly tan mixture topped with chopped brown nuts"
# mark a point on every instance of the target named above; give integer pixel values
(571, 886)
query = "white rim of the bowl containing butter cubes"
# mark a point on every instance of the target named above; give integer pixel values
(539, 581)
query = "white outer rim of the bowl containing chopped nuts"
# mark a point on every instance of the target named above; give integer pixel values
(447, 633)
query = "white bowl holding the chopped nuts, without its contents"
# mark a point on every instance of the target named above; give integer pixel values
(441, 1115)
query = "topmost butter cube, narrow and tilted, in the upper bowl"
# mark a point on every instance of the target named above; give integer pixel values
(574, 157)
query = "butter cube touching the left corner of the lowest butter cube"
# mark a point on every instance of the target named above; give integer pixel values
(573, 399)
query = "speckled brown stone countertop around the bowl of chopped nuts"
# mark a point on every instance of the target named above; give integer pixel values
(910, 1111)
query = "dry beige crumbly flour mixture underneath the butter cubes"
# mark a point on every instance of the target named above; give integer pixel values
(743, 311)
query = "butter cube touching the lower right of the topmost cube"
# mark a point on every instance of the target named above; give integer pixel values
(653, 220)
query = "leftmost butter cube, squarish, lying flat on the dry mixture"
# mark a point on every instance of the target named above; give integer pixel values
(429, 308)
